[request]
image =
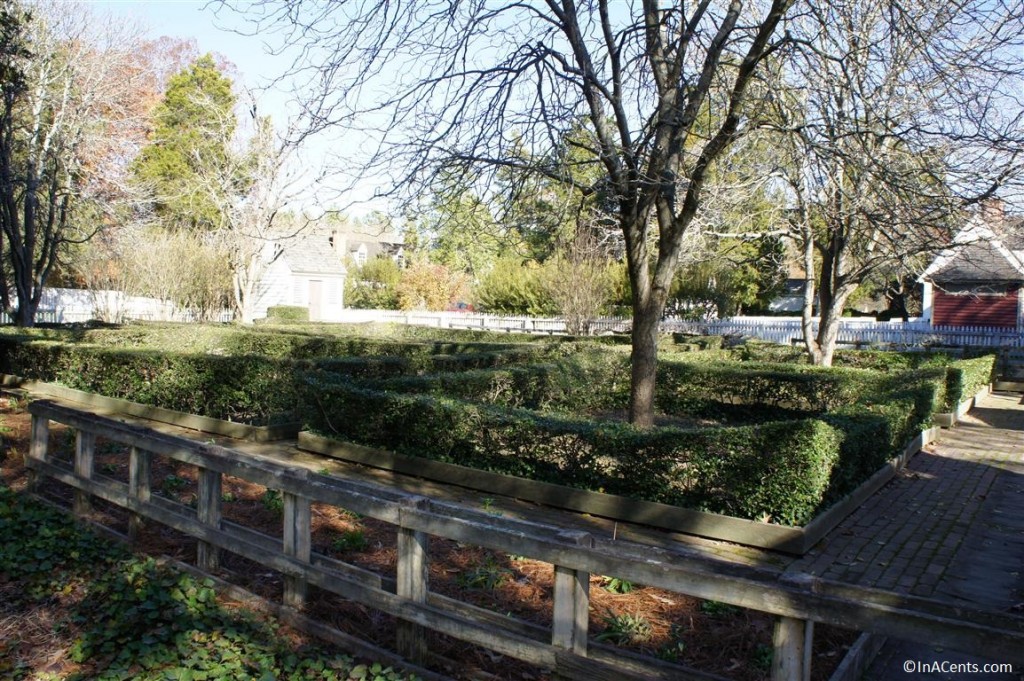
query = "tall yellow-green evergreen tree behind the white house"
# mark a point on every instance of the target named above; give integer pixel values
(193, 130)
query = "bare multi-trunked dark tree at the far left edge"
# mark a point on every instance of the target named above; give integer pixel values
(64, 137)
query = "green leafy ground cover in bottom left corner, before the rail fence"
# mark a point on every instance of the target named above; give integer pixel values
(116, 616)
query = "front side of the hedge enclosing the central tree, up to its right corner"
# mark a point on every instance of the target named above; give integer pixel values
(777, 472)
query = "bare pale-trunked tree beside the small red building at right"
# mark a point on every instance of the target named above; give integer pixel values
(898, 116)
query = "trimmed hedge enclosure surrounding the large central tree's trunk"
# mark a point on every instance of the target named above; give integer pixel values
(785, 472)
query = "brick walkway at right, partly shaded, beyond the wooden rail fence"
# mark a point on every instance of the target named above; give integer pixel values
(951, 527)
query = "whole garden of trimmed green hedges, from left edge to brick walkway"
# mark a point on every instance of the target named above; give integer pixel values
(527, 419)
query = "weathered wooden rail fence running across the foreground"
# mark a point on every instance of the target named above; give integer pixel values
(797, 602)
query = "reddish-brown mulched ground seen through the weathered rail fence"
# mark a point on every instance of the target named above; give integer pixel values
(703, 635)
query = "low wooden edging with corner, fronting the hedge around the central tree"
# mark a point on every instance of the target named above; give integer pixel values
(713, 526)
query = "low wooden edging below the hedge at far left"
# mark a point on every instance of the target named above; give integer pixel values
(158, 414)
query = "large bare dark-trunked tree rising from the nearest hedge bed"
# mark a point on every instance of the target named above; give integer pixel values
(487, 87)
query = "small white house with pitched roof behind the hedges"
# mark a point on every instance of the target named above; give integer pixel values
(305, 272)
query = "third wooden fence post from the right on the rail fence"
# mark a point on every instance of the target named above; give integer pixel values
(412, 580)
